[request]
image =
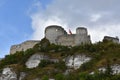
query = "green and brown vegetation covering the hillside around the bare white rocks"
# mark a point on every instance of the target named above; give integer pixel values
(103, 54)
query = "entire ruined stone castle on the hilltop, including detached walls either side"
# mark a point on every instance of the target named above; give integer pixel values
(57, 35)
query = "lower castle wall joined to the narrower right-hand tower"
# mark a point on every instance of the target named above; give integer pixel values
(81, 37)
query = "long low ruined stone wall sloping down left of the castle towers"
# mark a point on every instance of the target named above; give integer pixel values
(23, 46)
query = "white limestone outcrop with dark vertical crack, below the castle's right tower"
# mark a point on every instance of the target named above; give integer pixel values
(76, 61)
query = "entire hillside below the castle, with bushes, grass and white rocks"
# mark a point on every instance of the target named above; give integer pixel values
(45, 61)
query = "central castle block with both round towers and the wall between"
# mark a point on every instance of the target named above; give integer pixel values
(57, 35)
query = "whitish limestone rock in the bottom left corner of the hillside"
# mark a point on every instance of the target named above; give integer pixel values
(8, 74)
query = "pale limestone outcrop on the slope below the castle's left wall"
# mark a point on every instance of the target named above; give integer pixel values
(34, 60)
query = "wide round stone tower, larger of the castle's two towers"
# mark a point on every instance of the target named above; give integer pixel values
(53, 32)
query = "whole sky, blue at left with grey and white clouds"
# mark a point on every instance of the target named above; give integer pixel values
(22, 20)
